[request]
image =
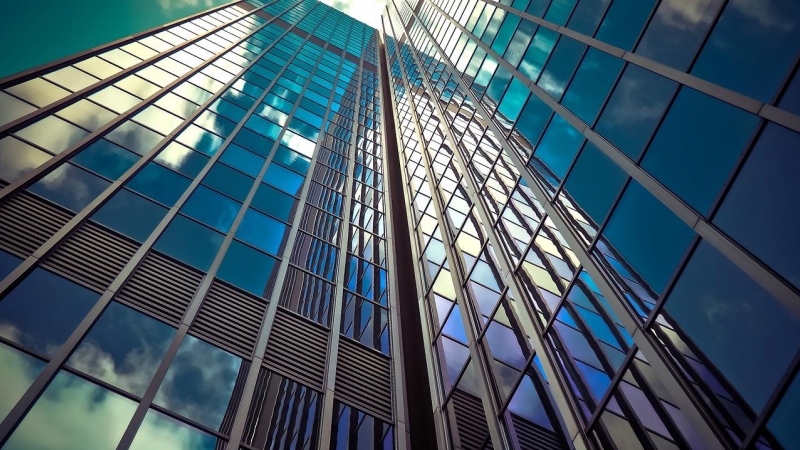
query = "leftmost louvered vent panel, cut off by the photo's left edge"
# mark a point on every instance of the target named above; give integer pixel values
(27, 222)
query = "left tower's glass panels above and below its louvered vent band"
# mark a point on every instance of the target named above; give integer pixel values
(211, 142)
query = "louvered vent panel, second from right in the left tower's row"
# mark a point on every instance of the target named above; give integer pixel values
(297, 348)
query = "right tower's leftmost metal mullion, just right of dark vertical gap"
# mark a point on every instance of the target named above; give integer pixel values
(423, 307)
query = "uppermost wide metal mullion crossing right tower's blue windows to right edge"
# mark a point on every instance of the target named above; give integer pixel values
(726, 95)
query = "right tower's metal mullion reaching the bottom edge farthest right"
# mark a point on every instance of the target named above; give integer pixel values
(642, 340)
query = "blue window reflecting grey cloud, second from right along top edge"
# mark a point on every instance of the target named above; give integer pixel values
(677, 30)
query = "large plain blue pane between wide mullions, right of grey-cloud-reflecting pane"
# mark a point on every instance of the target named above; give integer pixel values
(697, 146)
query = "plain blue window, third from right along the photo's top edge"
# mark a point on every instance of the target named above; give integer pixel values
(624, 21)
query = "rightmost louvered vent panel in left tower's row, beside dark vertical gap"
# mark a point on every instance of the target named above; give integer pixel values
(363, 379)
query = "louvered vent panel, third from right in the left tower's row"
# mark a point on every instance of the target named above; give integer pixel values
(230, 319)
